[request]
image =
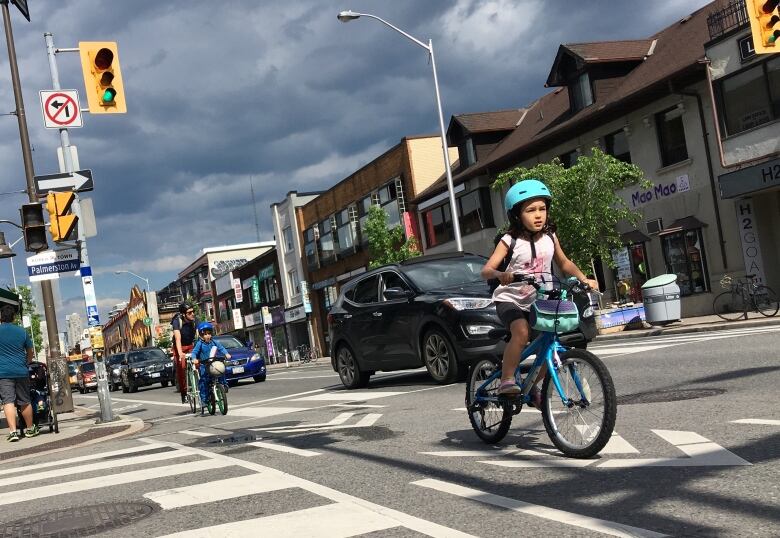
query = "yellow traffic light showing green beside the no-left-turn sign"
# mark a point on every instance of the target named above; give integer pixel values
(102, 77)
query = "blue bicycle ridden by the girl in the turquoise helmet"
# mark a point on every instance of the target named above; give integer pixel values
(579, 406)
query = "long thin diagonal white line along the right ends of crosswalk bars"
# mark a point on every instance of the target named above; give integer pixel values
(408, 521)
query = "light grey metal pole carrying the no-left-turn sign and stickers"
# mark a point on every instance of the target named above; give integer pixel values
(104, 396)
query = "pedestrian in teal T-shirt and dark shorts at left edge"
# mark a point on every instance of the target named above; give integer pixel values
(16, 352)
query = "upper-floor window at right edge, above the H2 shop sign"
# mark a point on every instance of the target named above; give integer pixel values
(751, 97)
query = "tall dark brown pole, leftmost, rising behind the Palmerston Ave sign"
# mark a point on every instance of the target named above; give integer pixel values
(49, 313)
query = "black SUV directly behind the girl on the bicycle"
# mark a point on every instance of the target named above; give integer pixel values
(434, 311)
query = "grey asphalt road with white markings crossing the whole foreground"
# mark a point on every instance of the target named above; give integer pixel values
(696, 454)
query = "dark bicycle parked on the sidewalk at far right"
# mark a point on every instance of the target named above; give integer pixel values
(744, 295)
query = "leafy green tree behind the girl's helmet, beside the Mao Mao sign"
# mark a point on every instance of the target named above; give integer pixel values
(586, 208)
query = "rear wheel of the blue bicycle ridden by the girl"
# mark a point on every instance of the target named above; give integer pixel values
(490, 419)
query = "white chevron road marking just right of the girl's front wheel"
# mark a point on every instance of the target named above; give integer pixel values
(701, 452)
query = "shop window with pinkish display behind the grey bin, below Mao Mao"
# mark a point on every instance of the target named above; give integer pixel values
(684, 256)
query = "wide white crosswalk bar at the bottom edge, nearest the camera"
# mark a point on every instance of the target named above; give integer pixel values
(337, 520)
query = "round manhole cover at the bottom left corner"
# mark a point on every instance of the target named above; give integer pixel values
(79, 521)
